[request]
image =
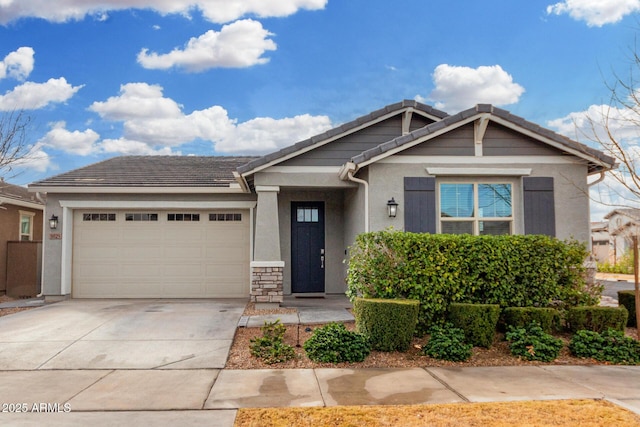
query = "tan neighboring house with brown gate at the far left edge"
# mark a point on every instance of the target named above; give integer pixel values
(20, 221)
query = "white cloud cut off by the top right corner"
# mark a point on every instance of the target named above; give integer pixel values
(595, 13)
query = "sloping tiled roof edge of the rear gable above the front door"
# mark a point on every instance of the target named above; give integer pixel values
(340, 130)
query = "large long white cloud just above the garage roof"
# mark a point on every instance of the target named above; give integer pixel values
(153, 123)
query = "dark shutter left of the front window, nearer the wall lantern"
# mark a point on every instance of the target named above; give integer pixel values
(420, 204)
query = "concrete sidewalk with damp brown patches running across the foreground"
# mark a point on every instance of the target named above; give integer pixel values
(212, 396)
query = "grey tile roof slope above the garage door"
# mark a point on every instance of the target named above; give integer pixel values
(152, 171)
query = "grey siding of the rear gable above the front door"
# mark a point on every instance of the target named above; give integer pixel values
(340, 151)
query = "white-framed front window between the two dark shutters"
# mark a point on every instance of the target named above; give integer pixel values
(476, 208)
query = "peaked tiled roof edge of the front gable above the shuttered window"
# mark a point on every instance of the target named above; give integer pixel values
(497, 114)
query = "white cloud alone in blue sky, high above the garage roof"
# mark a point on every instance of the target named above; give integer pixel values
(237, 45)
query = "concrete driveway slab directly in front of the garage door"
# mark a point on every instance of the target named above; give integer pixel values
(120, 334)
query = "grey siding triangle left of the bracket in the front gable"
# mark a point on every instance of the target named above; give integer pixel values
(458, 142)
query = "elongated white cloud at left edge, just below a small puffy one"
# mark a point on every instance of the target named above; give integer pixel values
(32, 96)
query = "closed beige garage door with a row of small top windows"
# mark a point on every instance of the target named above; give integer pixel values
(160, 254)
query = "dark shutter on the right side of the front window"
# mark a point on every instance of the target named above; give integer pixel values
(539, 206)
